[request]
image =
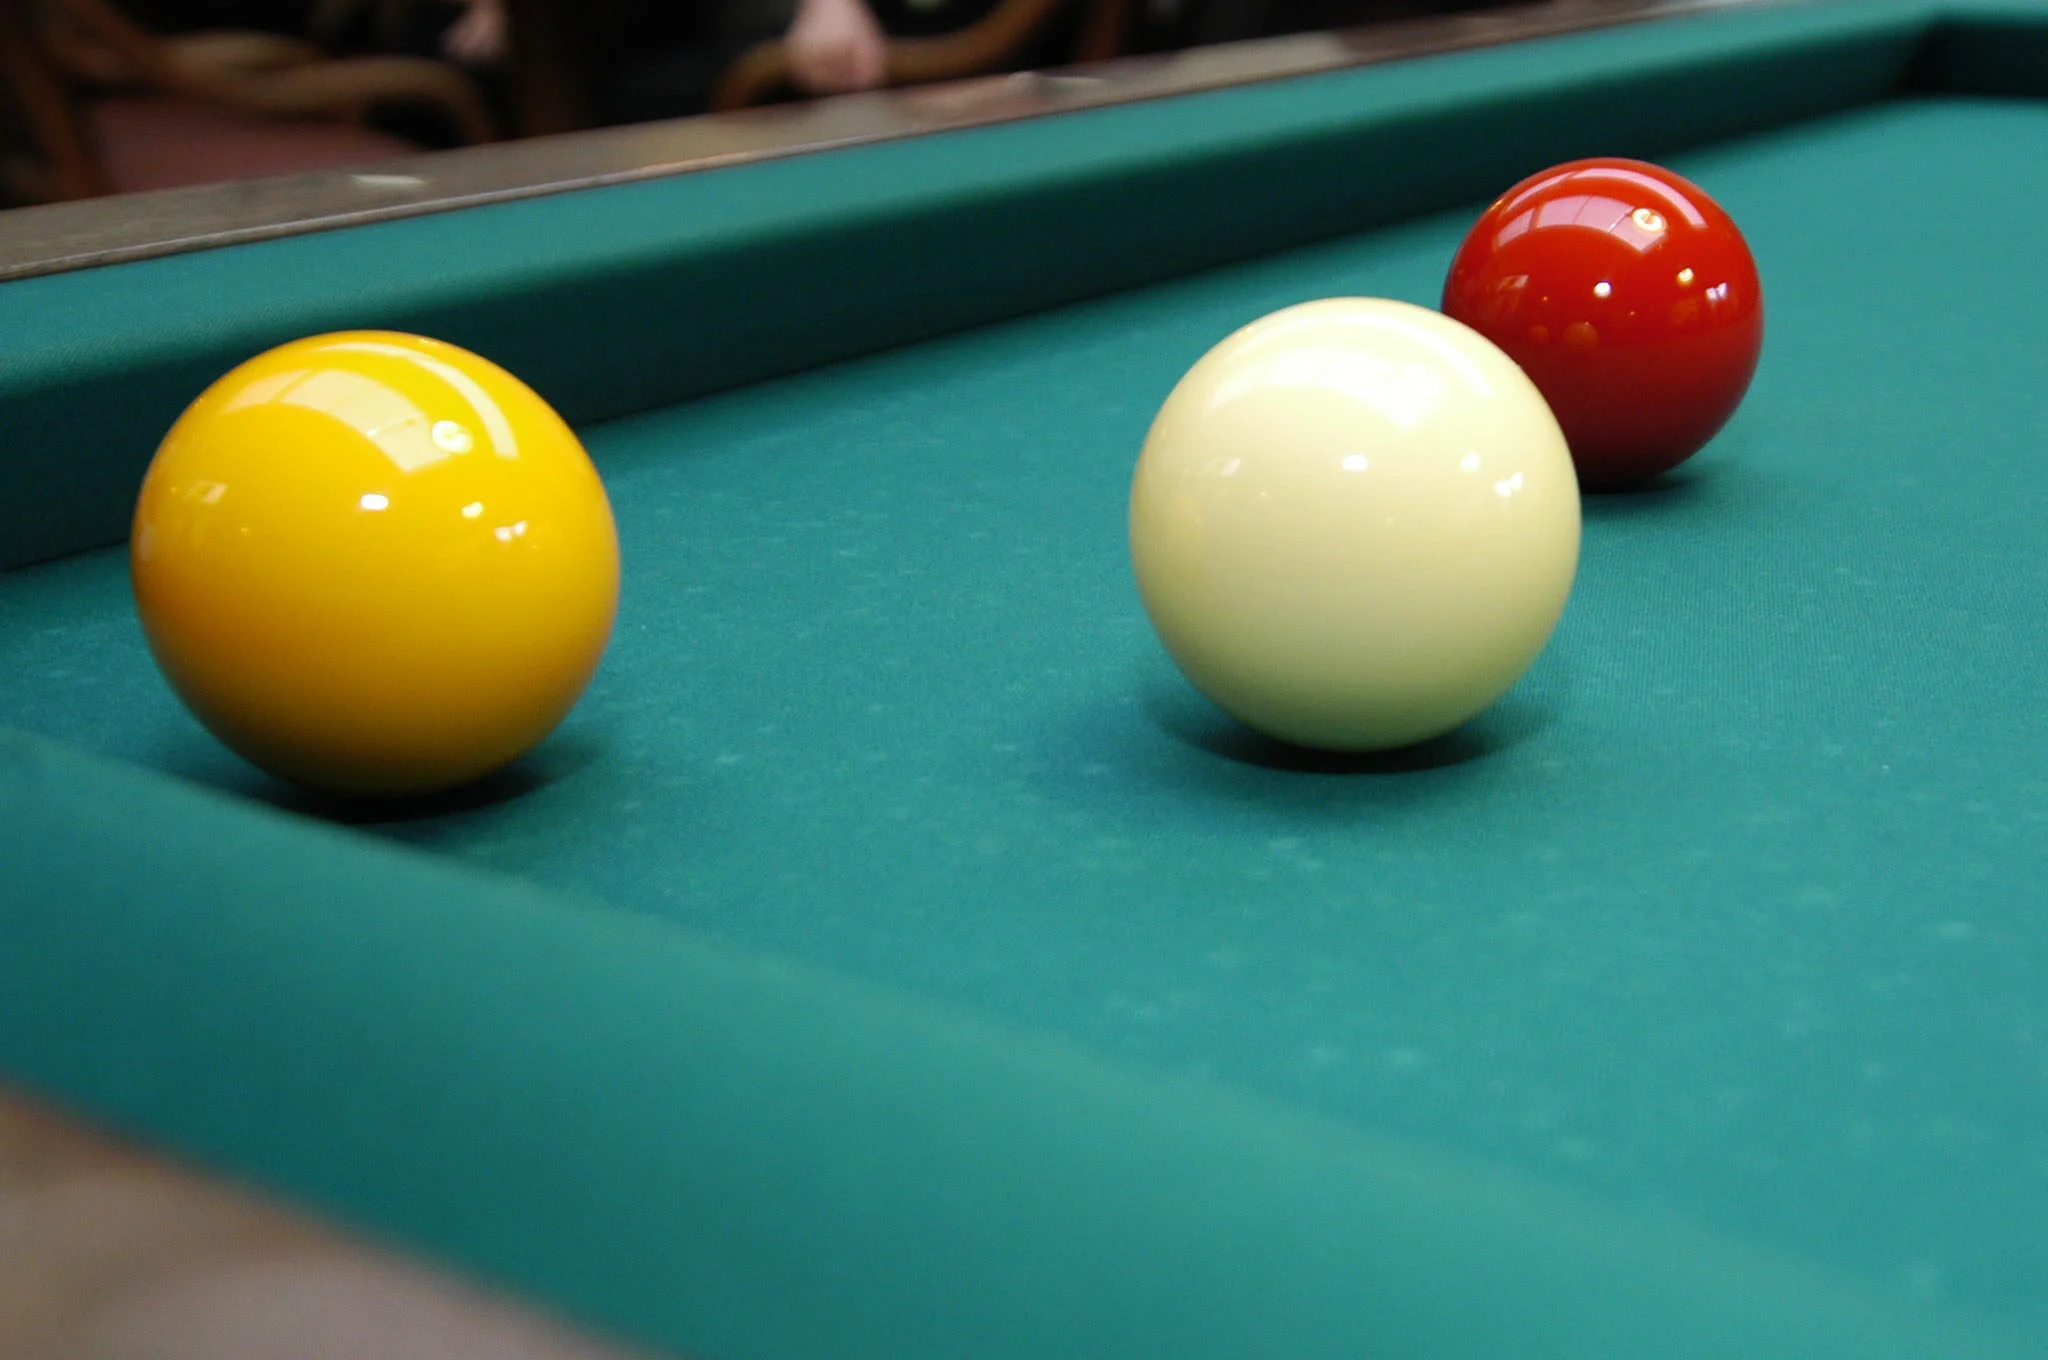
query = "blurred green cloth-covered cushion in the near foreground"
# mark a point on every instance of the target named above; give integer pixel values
(753, 1158)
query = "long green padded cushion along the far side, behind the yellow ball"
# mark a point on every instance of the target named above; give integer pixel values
(620, 300)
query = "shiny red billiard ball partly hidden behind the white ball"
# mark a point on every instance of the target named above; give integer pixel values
(1631, 302)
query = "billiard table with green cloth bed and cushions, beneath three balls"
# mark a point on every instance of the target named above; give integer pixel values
(896, 958)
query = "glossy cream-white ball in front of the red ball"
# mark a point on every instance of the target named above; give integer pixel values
(1355, 523)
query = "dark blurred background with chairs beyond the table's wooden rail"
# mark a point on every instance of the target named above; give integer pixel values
(108, 97)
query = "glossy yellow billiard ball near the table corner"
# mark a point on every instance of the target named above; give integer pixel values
(376, 564)
